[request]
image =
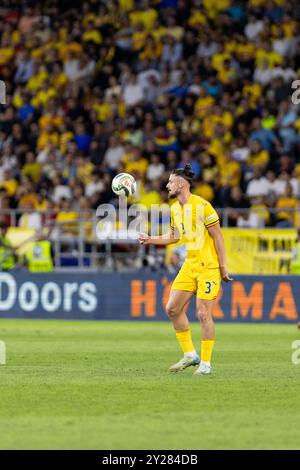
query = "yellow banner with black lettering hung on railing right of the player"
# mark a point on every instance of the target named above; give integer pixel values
(264, 251)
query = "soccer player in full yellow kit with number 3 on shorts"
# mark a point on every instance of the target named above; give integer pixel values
(195, 222)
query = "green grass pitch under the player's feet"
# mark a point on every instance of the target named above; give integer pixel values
(105, 385)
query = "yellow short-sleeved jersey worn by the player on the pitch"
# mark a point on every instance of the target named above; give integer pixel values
(192, 222)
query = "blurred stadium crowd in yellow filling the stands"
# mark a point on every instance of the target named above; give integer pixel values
(94, 88)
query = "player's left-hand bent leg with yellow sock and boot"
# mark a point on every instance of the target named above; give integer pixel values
(176, 309)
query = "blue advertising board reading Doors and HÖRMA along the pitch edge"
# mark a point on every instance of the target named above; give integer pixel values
(141, 296)
